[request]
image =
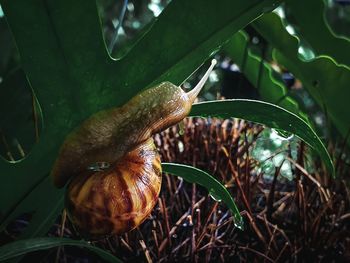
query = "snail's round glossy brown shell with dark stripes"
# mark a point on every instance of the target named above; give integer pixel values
(118, 199)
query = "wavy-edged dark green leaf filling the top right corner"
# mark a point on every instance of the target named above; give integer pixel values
(312, 24)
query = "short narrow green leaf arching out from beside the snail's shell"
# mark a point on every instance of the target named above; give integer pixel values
(215, 188)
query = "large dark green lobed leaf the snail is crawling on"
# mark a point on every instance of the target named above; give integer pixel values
(64, 56)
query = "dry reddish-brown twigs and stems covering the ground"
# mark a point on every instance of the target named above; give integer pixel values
(305, 219)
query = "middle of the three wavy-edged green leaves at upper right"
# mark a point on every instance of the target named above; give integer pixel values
(327, 81)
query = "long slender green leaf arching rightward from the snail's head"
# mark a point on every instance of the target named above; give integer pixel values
(268, 114)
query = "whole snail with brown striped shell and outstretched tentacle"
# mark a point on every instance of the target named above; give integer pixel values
(111, 162)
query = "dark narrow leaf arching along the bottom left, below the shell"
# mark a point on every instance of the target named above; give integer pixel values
(22, 247)
